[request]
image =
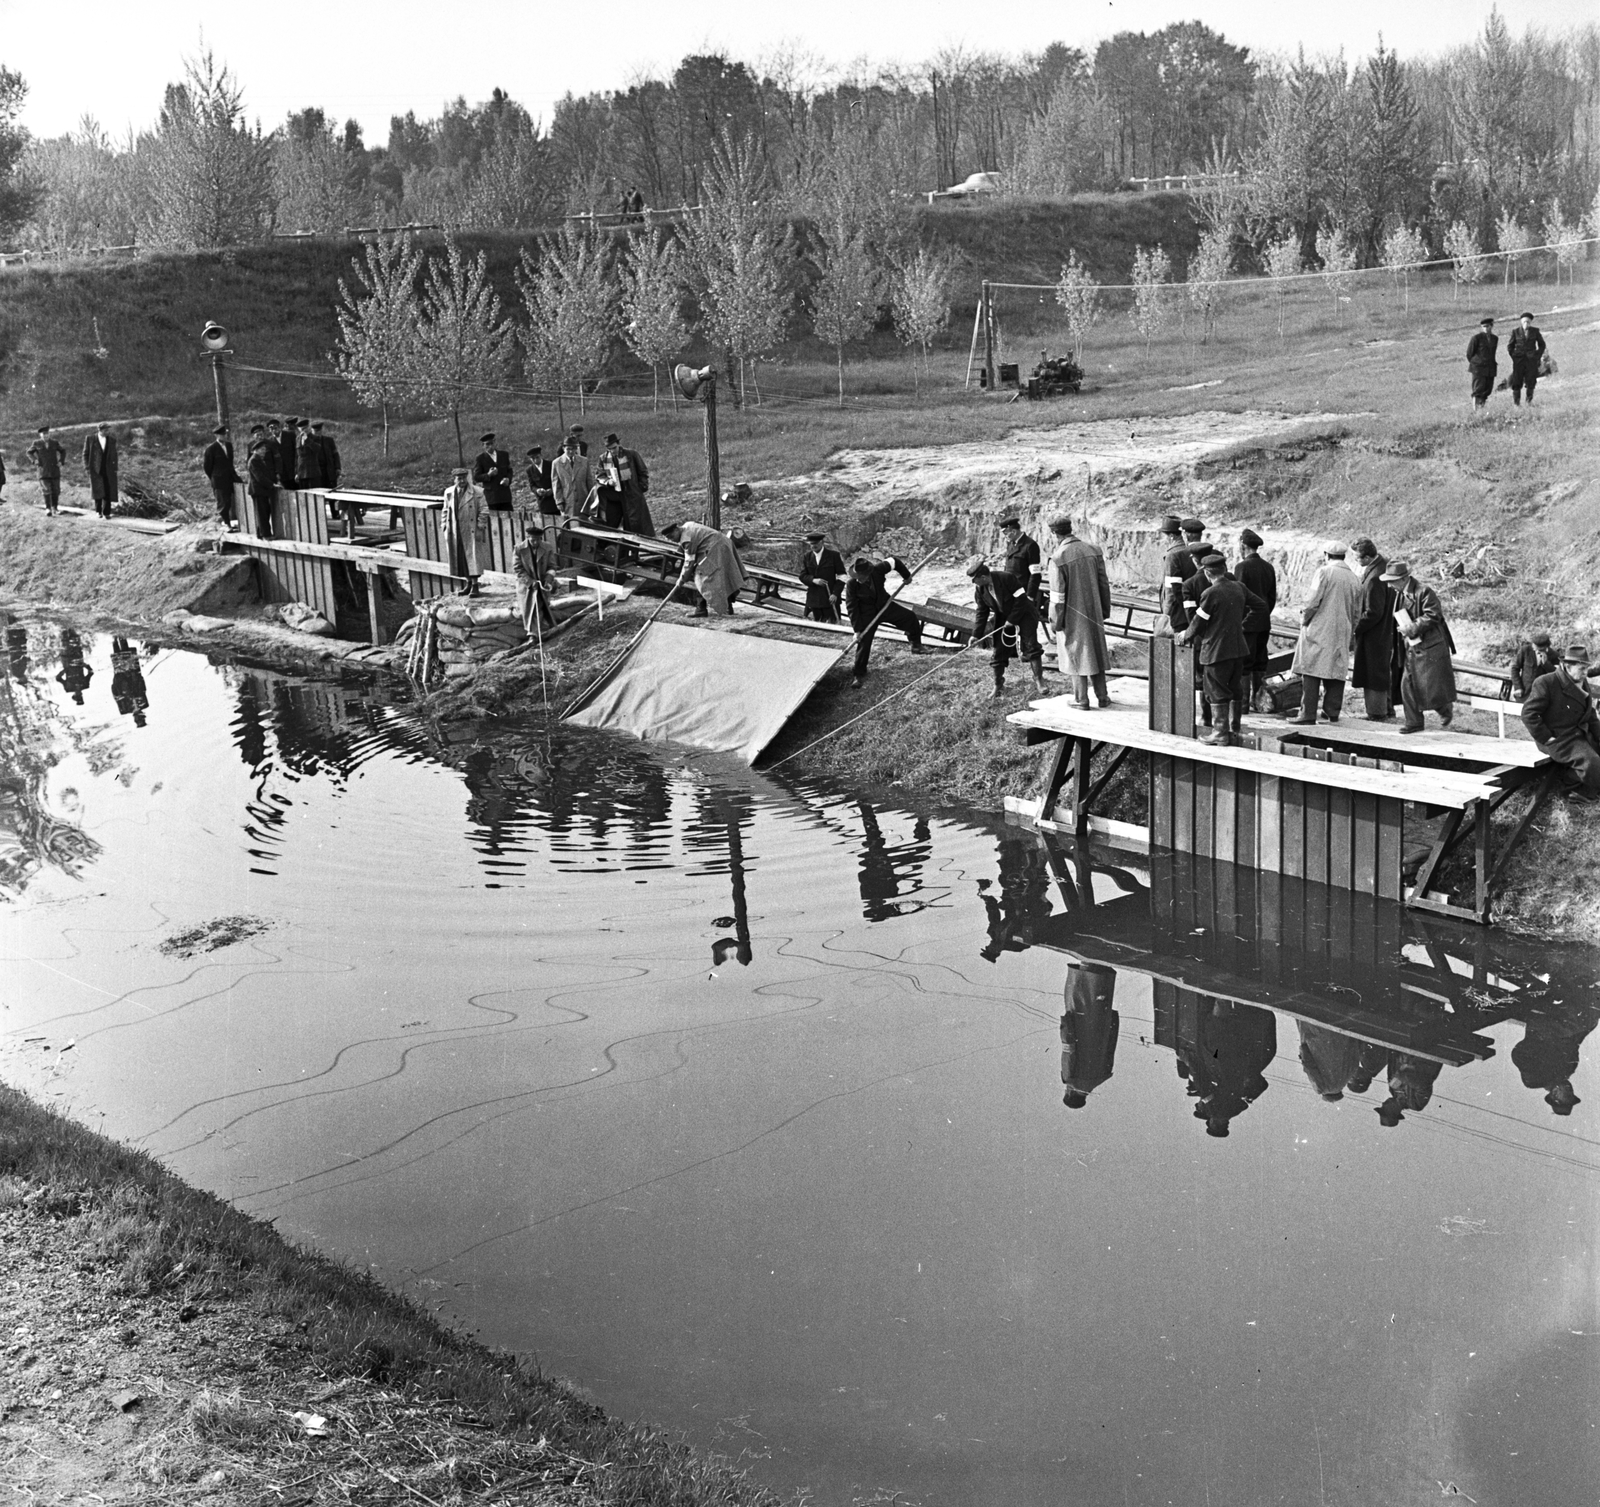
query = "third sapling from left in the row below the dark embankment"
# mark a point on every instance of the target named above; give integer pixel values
(572, 311)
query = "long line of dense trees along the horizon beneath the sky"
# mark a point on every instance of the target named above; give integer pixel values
(1506, 127)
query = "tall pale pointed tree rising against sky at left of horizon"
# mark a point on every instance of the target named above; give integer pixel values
(209, 178)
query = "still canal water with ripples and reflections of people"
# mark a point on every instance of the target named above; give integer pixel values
(889, 1154)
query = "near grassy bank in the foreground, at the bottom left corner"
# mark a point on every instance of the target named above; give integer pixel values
(164, 1348)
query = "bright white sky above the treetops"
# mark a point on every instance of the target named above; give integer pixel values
(382, 58)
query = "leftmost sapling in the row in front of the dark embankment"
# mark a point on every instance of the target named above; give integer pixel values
(380, 324)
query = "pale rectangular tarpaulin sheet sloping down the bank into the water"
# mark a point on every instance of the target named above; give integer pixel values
(726, 692)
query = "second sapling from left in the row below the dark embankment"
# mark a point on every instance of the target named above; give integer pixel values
(463, 340)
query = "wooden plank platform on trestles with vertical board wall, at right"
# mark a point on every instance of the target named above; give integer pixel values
(1322, 802)
